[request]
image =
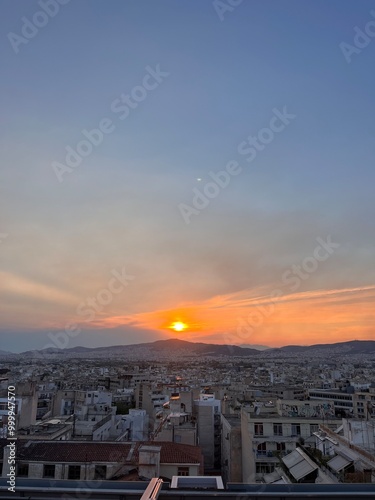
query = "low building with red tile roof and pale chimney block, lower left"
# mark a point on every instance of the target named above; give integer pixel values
(85, 461)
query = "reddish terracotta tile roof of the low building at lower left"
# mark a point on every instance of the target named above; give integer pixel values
(96, 451)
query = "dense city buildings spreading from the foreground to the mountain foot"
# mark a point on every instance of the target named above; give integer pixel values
(250, 419)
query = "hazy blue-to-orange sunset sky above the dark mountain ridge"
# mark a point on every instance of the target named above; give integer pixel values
(209, 163)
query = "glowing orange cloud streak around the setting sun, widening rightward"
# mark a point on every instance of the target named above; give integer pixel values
(253, 317)
